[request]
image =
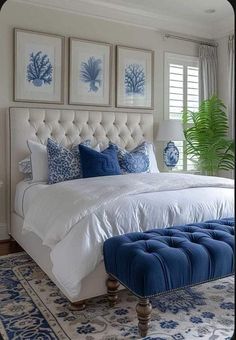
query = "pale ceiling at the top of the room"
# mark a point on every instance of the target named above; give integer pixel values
(181, 16)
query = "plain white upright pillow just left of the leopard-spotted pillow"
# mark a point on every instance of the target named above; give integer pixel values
(39, 161)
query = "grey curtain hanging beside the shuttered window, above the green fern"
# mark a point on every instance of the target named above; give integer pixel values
(207, 71)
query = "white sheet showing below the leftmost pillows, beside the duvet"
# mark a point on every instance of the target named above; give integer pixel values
(25, 192)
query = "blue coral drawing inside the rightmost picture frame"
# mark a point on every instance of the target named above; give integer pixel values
(134, 79)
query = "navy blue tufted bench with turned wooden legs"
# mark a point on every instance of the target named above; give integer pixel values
(159, 260)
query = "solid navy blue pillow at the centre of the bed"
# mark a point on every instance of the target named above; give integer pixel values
(96, 163)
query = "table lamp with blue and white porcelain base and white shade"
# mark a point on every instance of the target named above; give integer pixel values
(169, 130)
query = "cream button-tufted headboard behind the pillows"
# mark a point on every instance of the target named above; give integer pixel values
(70, 127)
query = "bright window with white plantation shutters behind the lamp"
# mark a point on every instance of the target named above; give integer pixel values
(181, 91)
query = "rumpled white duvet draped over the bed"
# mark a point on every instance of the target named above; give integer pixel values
(74, 218)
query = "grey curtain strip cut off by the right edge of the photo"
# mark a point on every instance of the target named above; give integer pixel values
(231, 99)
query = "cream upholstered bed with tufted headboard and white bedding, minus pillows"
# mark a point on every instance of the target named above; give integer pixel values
(206, 199)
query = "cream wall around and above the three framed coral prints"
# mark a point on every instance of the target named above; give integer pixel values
(41, 19)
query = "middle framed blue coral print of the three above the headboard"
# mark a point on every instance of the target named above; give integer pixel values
(90, 73)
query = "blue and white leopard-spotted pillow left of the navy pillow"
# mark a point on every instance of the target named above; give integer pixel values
(63, 164)
